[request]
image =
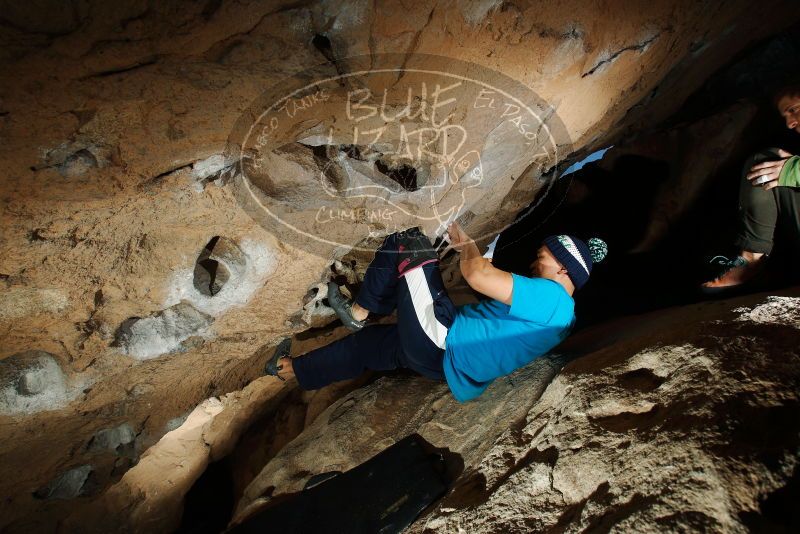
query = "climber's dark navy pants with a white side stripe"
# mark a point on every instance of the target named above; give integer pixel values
(424, 313)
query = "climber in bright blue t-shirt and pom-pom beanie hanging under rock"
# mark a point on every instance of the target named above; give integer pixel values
(468, 346)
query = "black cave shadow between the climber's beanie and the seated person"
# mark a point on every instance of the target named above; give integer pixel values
(616, 208)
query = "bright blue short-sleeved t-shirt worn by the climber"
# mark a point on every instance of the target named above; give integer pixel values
(489, 339)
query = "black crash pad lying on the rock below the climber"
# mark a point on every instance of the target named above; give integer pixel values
(384, 494)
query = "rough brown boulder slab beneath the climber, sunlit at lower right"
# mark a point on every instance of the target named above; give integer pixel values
(688, 423)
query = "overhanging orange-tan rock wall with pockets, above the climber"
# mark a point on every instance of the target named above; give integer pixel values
(130, 255)
